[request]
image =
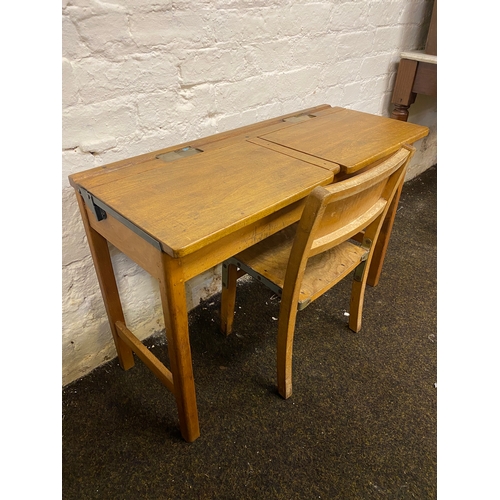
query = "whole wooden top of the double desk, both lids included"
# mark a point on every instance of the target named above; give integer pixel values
(188, 196)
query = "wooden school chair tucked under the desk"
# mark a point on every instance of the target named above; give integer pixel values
(336, 235)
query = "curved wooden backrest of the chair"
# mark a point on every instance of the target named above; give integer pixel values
(337, 212)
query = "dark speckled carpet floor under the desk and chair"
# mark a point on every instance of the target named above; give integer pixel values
(361, 423)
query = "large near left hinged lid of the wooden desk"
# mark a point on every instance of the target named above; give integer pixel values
(195, 200)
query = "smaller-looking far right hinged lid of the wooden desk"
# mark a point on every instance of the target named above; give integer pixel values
(351, 139)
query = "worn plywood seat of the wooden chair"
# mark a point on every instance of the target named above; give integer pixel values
(269, 259)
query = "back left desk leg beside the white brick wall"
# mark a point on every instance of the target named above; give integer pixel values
(107, 282)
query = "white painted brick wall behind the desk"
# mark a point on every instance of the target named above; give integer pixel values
(140, 75)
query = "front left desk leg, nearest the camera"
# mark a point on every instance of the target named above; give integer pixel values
(173, 298)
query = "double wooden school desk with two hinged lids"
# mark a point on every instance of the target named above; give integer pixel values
(180, 211)
